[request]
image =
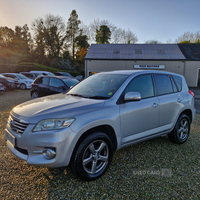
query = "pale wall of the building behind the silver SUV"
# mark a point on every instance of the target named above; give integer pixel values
(189, 69)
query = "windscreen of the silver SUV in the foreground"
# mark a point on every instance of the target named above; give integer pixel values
(98, 86)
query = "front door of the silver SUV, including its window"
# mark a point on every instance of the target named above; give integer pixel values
(139, 118)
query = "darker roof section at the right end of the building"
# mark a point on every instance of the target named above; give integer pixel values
(190, 51)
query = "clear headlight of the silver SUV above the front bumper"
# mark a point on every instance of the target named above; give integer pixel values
(50, 124)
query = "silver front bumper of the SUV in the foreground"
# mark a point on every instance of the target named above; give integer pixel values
(29, 146)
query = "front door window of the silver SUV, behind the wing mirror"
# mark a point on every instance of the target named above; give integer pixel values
(142, 84)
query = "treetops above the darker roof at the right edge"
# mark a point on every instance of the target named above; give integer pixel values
(188, 36)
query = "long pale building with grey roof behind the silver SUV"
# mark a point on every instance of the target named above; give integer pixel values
(183, 59)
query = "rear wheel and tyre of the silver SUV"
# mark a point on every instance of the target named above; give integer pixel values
(181, 131)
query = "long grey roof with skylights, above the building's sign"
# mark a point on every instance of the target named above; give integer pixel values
(134, 52)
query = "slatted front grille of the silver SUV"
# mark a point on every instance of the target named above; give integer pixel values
(16, 125)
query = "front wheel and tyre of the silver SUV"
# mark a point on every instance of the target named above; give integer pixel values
(92, 157)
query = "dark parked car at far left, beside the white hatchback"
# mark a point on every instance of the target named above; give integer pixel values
(9, 83)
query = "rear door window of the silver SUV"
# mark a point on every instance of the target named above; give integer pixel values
(163, 84)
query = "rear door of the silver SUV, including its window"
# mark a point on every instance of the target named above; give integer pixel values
(170, 99)
